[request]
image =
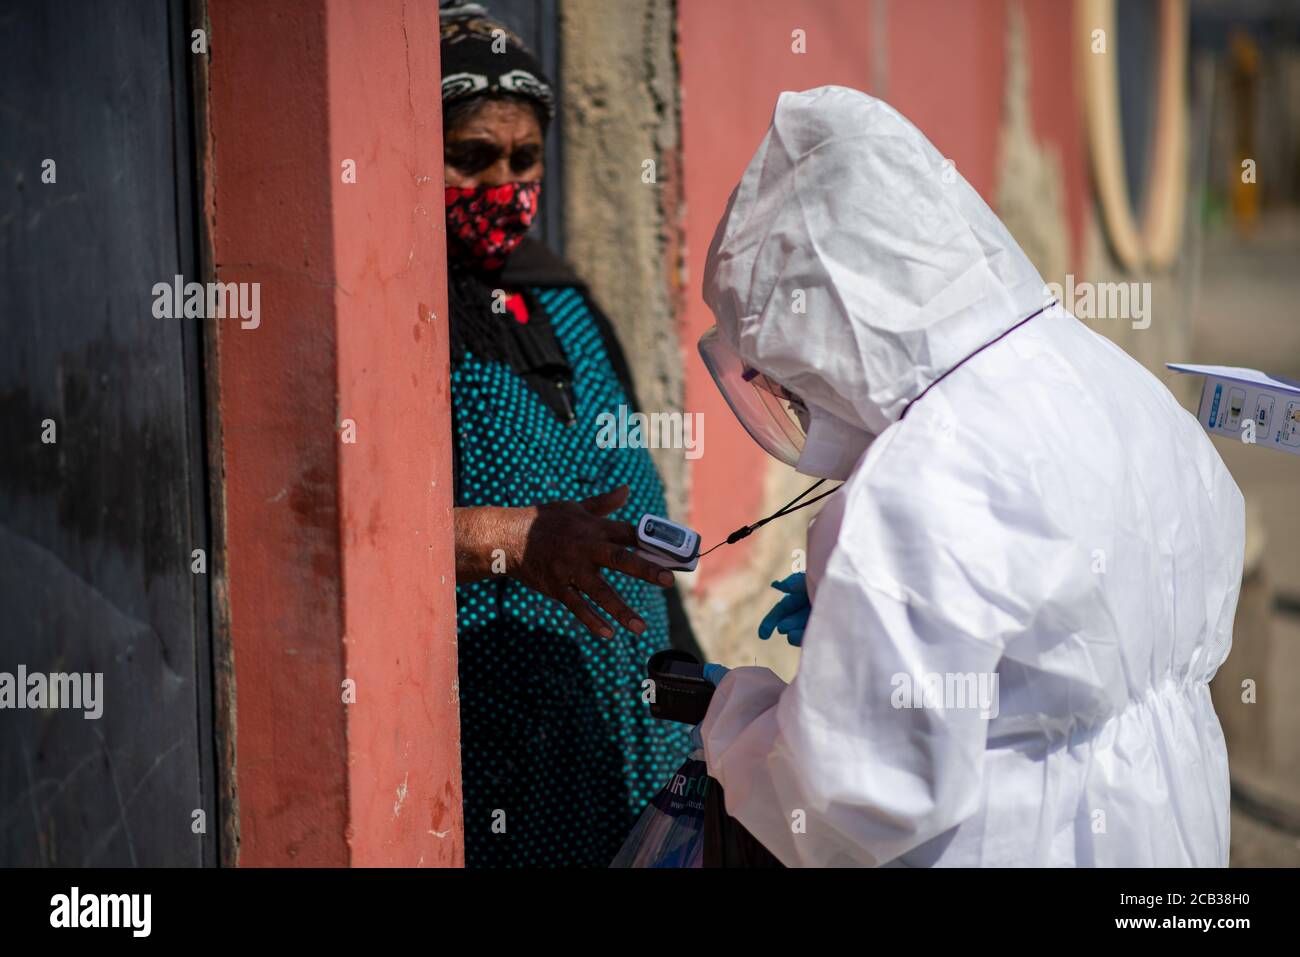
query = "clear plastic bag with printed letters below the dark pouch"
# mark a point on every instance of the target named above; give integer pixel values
(671, 830)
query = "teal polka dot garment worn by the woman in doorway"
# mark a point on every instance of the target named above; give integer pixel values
(560, 755)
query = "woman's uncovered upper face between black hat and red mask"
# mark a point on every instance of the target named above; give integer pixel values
(499, 145)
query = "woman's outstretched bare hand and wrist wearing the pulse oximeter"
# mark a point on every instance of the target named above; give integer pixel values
(560, 549)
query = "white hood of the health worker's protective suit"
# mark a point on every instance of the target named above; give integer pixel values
(855, 265)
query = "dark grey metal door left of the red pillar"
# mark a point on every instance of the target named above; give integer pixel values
(98, 527)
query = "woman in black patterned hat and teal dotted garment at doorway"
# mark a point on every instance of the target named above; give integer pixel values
(560, 752)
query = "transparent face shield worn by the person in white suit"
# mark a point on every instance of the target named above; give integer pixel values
(774, 417)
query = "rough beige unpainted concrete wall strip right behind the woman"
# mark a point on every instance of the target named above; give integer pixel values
(622, 215)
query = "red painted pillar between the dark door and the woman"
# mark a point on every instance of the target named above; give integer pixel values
(336, 434)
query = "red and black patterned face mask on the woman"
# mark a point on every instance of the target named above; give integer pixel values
(487, 223)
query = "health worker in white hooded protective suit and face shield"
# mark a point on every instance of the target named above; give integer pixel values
(1029, 578)
